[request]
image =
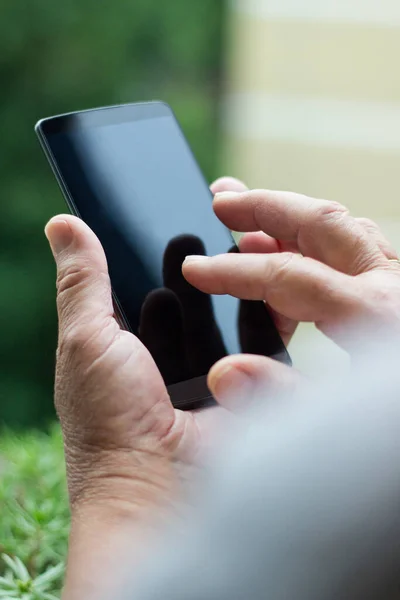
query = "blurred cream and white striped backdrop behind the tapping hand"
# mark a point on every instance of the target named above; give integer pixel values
(313, 105)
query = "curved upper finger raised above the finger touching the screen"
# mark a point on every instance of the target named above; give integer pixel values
(321, 229)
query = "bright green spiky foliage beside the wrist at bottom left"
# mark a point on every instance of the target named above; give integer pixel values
(34, 520)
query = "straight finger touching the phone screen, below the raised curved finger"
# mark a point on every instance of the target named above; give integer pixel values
(300, 288)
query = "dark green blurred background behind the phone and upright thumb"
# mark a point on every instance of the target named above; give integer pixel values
(63, 56)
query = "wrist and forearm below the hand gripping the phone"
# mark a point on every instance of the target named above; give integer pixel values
(112, 525)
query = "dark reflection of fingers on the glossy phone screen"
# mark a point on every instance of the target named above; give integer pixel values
(178, 324)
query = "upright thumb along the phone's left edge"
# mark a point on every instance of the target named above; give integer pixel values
(83, 286)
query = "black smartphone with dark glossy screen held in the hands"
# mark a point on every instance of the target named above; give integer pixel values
(130, 174)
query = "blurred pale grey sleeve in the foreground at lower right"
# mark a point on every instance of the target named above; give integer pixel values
(305, 505)
